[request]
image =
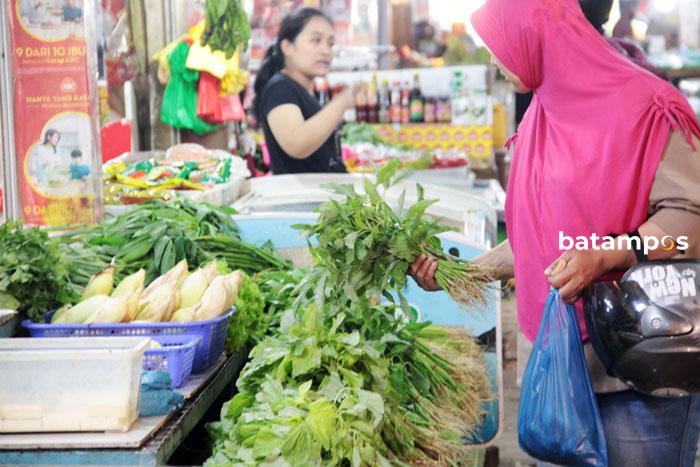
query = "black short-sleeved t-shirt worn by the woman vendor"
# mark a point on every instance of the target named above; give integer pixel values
(280, 90)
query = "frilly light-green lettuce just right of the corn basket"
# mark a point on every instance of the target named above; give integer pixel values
(249, 322)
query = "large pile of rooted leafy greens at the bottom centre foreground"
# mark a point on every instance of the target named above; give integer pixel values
(356, 388)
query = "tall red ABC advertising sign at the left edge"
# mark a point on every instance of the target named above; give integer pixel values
(53, 121)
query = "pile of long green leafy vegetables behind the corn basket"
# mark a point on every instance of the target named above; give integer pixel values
(157, 235)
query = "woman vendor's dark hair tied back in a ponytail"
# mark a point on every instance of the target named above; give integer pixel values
(291, 27)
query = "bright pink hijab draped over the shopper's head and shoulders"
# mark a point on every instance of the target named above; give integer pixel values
(589, 145)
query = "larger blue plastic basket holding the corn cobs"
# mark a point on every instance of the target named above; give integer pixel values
(212, 333)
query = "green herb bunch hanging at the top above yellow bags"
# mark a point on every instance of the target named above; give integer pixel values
(226, 26)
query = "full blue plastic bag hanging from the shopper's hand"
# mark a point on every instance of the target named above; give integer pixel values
(558, 420)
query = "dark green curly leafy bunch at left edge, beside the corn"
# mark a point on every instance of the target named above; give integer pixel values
(31, 270)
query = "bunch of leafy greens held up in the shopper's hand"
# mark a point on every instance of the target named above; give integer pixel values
(365, 247)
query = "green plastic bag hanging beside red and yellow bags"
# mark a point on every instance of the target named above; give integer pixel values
(179, 108)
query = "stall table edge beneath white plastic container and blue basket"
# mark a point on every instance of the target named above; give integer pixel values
(150, 441)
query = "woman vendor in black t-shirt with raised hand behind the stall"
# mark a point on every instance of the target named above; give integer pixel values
(300, 135)
